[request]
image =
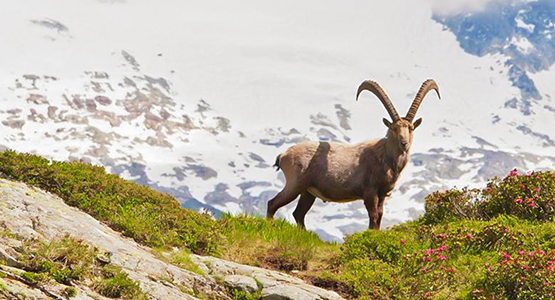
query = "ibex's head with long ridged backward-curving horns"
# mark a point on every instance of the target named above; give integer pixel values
(400, 129)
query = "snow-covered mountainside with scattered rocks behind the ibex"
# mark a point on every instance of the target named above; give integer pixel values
(197, 98)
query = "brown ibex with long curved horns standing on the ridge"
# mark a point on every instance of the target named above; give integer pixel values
(337, 172)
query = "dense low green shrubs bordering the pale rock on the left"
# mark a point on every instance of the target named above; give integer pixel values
(150, 218)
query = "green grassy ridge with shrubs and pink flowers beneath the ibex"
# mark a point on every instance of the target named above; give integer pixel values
(491, 243)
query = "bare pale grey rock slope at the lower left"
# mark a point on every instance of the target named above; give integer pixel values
(29, 213)
